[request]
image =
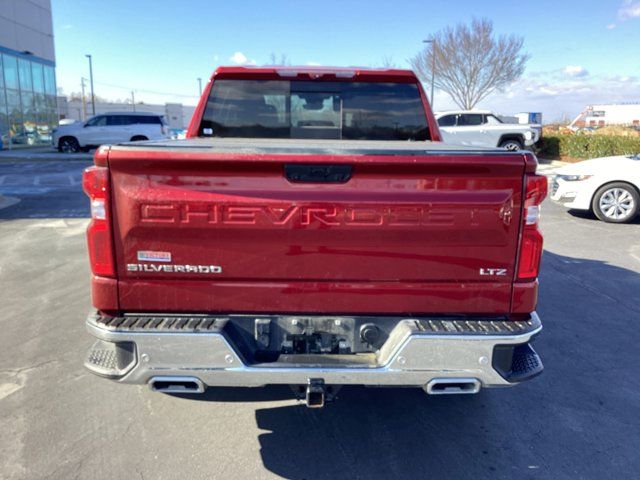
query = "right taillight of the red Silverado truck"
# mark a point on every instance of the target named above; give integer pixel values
(531, 245)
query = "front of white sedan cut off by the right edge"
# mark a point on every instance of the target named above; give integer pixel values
(608, 186)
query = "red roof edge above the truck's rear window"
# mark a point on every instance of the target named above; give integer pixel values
(317, 73)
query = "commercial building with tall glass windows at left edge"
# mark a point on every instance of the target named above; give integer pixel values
(27, 73)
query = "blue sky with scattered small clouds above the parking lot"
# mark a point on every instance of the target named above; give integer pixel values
(582, 51)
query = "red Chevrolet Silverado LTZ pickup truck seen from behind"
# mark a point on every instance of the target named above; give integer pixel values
(313, 231)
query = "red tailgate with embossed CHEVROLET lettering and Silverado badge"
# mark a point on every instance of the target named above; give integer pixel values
(405, 234)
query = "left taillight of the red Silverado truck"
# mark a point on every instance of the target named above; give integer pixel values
(95, 183)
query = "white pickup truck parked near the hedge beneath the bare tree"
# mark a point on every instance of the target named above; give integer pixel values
(481, 128)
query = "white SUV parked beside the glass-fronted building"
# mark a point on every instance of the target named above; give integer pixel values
(116, 127)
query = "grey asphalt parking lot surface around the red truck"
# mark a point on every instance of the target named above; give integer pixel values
(579, 420)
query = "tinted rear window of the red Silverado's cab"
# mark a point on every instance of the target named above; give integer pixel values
(321, 110)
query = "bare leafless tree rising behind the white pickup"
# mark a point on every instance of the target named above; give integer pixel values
(470, 62)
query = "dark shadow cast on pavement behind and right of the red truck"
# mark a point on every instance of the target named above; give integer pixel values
(577, 420)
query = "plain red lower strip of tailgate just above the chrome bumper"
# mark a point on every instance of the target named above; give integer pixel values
(329, 297)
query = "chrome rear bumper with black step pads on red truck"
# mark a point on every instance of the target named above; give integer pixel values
(419, 352)
